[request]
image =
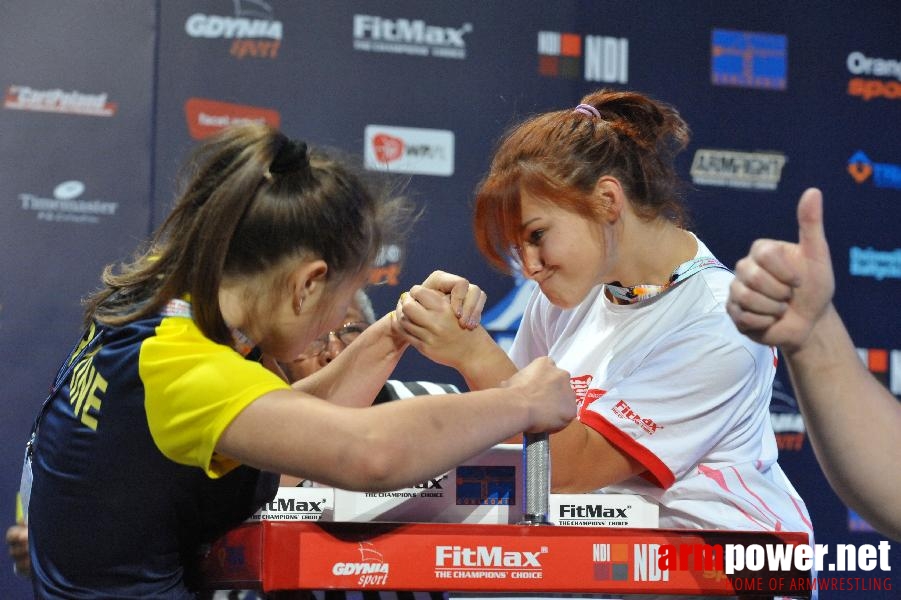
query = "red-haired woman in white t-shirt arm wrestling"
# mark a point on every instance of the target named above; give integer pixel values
(673, 400)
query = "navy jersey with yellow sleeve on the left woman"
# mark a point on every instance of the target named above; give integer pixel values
(127, 482)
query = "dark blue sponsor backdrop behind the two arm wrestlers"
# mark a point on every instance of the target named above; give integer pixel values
(102, 100)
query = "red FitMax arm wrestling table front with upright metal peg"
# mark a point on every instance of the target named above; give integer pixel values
(525, 558)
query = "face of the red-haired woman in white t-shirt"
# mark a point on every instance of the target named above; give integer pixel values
(561, 250)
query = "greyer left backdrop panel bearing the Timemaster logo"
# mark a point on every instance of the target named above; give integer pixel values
(76, 142)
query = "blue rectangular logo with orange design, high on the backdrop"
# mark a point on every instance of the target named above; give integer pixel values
(749, 59)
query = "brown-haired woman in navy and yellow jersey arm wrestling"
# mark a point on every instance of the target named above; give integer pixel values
(170, 419)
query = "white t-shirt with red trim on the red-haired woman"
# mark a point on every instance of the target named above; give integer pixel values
(671, 382)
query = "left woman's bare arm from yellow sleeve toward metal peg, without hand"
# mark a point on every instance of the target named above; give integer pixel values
(385, 447)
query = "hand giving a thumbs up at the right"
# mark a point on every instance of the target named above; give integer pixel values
(781, 289)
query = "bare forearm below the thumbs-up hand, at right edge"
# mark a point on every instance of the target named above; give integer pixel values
(852, 421)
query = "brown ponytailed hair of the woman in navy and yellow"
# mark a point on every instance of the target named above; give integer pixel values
(253, 197)
